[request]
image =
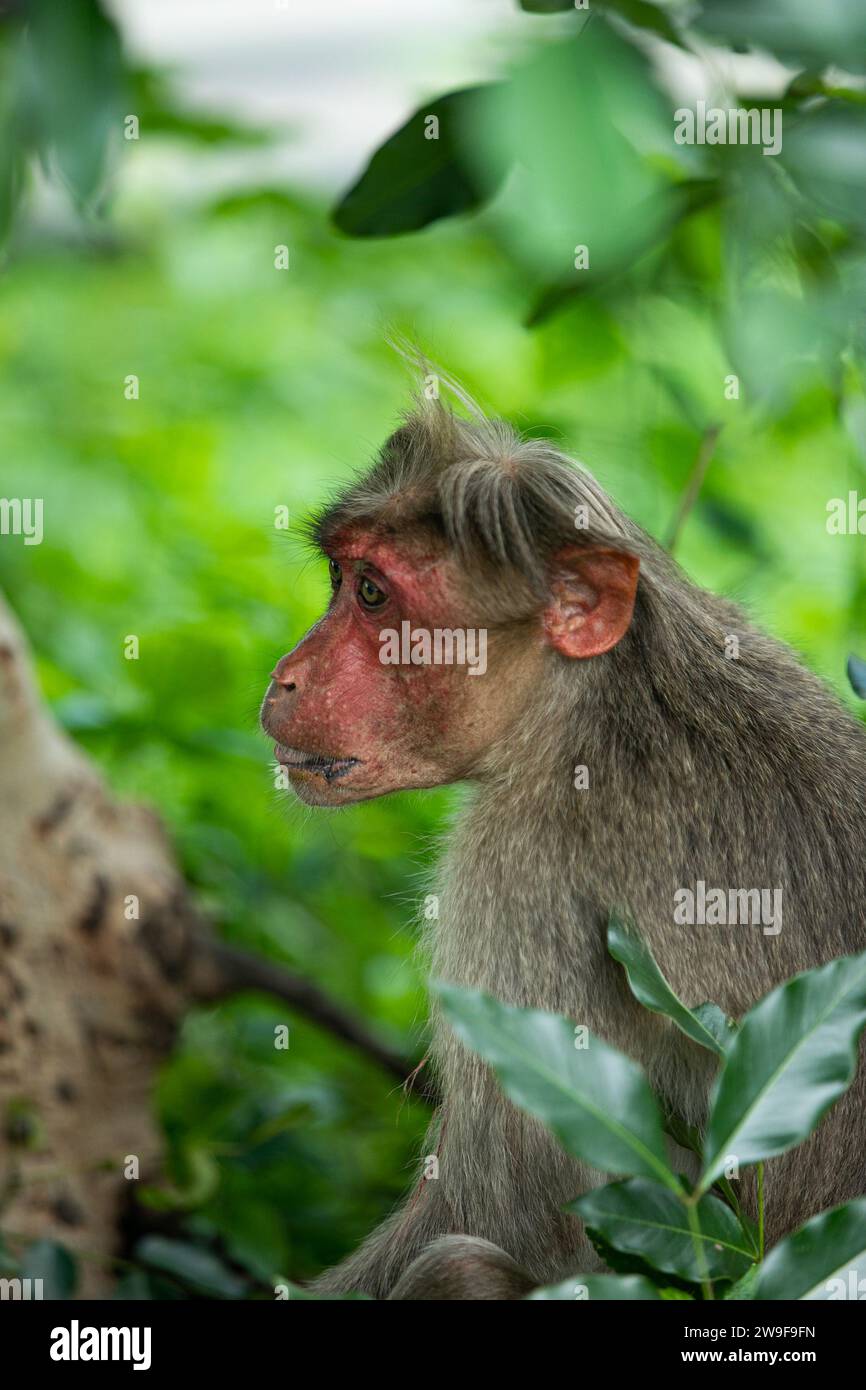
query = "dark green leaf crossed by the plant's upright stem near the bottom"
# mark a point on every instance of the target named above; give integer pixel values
(650, 1221)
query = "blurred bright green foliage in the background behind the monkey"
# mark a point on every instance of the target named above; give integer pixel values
(261, 389)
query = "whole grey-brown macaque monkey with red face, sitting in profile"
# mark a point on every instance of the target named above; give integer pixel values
(707, 761)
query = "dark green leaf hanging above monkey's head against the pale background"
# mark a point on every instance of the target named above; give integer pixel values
(414, 180)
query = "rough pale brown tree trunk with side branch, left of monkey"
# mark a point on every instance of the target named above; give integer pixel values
(102, 951)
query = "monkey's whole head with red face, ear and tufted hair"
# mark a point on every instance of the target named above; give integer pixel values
(433, 643)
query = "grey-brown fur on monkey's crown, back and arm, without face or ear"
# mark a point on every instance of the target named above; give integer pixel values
(746, 774)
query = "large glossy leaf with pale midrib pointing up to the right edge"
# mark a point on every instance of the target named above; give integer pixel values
(794, 1056)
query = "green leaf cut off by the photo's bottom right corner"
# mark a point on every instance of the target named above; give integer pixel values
(826, 1259)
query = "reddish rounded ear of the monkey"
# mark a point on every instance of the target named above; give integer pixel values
(593, 594)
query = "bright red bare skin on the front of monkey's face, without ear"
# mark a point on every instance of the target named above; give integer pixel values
(333, 696)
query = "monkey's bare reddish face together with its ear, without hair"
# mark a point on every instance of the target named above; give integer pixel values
(405, 685)
